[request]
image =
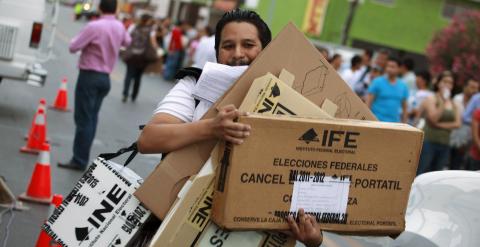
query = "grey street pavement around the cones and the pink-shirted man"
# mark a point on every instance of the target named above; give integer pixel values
(117, 128)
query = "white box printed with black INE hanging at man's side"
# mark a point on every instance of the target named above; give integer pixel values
(101, 209)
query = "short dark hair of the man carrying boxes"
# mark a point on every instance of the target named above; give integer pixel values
(240, 15)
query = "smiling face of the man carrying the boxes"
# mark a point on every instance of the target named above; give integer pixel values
(239, 44)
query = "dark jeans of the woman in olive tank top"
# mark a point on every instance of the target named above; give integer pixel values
(434, 157)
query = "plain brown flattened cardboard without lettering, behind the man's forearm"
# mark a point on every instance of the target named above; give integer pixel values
(314, 78)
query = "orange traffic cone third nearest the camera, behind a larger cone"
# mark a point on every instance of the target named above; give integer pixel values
(37, 134)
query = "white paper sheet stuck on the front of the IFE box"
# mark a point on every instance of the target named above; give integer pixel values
(329, 196)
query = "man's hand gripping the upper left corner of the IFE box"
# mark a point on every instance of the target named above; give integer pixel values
(224, 127)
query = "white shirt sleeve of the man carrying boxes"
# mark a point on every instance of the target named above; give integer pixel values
(179, 102)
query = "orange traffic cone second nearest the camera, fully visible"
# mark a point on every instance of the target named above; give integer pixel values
(40, 187)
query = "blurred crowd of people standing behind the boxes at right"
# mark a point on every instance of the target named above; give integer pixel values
(446, 109)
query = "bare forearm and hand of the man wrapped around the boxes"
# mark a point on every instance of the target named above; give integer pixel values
(166, 133)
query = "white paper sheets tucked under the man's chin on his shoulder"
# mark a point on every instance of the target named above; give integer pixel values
(215, 81)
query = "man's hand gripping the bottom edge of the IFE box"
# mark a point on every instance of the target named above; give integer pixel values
(307, 230)
